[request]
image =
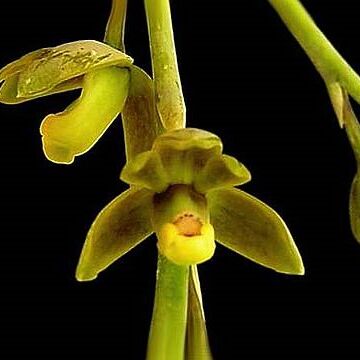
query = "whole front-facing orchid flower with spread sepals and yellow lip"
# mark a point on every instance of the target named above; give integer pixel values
(183, 190)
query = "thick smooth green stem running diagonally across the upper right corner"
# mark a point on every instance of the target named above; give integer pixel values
(329, 63)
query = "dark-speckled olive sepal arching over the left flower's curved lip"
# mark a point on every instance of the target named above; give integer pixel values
(41, 72)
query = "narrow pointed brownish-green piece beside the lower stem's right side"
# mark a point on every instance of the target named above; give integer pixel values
(197, 343)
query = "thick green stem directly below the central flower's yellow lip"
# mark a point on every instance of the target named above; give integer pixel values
(168, 325)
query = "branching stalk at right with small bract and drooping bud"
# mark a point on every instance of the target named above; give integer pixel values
(340, 80)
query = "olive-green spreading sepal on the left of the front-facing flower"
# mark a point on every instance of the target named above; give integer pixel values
(119, 227)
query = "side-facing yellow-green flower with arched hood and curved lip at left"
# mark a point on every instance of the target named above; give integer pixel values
(100, 70)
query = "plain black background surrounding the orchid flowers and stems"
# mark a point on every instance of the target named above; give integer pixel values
(245, 79)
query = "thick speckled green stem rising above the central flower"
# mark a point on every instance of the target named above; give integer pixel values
(169, 97)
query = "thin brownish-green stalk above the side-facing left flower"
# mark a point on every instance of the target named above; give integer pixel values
(114, 33)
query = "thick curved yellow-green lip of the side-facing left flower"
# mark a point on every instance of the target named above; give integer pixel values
(76, 130)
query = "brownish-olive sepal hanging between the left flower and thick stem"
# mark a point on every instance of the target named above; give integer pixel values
(141, 123)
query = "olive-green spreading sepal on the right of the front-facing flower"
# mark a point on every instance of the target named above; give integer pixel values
(247, 226)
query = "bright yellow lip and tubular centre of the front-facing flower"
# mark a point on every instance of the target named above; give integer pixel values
(181, 220)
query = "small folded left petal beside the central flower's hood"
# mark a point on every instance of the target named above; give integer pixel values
(146, 170)
